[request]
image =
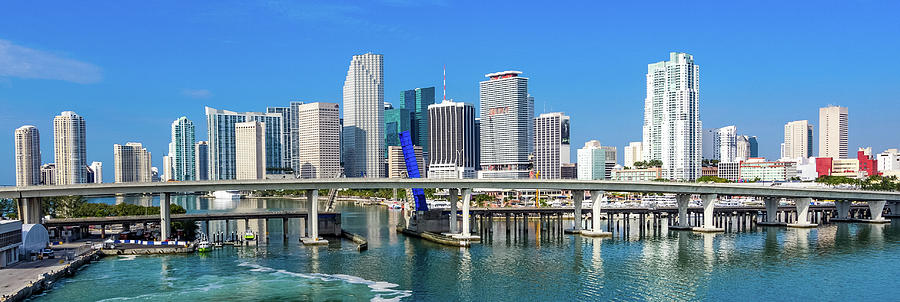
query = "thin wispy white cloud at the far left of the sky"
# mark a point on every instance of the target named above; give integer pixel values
(22, 62)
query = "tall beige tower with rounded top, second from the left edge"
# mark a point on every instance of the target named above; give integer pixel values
(69, 148)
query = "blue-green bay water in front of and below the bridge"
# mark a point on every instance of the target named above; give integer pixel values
(832, 262)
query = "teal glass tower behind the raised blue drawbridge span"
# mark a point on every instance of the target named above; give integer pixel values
(417, 102)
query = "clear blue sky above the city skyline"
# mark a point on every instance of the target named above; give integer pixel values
(132, 68)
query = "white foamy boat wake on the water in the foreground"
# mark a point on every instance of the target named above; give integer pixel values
(384, 291)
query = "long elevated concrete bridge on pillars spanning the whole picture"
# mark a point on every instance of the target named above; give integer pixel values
(28, 197)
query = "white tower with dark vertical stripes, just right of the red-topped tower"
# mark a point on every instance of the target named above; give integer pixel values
(551, 144)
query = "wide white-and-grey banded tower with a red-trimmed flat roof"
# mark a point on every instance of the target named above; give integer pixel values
(507, 125)
